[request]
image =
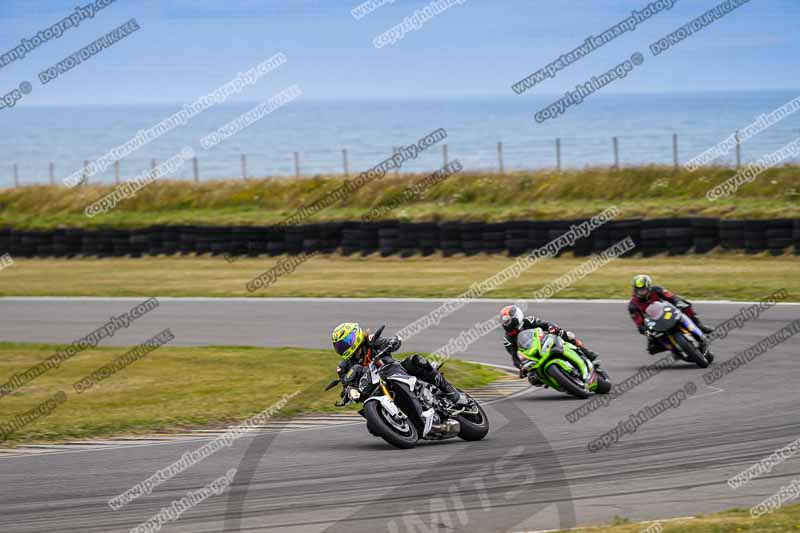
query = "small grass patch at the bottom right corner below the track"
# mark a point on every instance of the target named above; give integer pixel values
(784, 519)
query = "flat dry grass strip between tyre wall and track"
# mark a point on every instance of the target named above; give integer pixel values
(713, 276)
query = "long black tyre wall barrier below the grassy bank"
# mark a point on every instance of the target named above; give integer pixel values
(673, 236)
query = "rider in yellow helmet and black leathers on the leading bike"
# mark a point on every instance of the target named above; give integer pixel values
(356, 347)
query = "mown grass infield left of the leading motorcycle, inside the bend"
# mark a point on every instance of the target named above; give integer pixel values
(175, 388)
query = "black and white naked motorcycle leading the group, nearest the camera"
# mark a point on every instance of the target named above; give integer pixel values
(402, 409)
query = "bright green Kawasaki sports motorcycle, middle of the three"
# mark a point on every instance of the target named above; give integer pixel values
(549, 361)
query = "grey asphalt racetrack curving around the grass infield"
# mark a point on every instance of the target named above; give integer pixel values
(534, 470)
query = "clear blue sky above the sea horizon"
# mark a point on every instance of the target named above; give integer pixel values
(187, 47)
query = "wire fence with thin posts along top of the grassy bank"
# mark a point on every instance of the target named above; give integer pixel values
(557, 154)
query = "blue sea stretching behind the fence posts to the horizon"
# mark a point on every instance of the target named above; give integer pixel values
(318, 131)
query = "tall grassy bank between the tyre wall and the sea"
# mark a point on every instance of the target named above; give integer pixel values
(651, 191)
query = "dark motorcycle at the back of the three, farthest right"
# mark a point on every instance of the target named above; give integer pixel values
(668, 324)
